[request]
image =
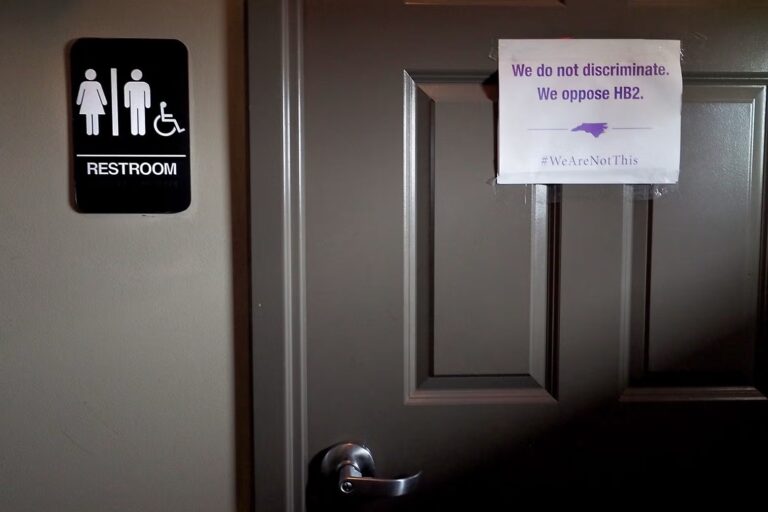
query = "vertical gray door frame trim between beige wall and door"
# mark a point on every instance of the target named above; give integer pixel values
(278, 334)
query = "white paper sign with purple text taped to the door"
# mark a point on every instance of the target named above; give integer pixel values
(589, 111)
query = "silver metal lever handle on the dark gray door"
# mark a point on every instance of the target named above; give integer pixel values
(351, 465)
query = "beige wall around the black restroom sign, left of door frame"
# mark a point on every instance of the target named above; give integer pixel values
(119, 334)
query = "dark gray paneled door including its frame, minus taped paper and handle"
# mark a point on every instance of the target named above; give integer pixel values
(509, 341)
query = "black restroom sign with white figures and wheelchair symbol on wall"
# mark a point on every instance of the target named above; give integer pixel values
(130, 125)
